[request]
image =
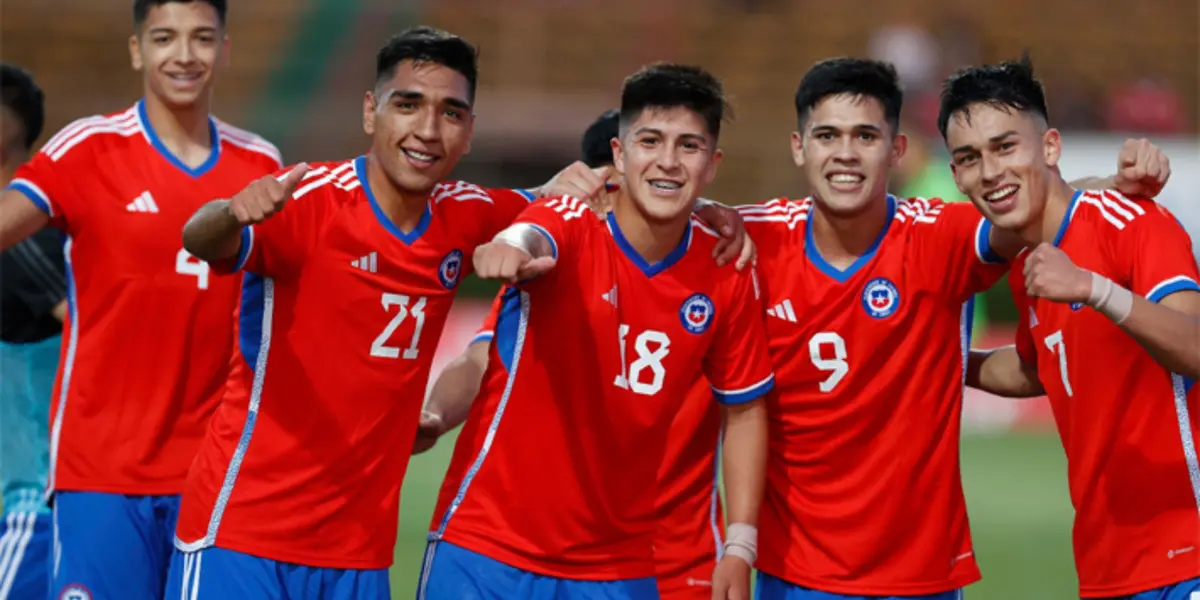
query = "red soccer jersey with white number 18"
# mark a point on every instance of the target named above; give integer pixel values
(590, 365)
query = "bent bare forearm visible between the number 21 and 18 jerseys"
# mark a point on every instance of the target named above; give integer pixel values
(452, 397)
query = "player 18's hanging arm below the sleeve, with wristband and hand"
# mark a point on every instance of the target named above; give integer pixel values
(746, 473)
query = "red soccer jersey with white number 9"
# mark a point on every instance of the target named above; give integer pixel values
(863, 489)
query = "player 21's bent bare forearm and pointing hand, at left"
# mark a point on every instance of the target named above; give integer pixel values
(214, 233)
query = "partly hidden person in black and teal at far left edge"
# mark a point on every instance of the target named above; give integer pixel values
(33, 305)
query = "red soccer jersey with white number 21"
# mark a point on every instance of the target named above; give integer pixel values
(340, 316)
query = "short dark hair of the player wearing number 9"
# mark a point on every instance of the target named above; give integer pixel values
(850, 76)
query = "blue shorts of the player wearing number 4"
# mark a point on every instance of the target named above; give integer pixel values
(112, 547)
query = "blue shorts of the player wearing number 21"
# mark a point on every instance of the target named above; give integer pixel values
(219, 574)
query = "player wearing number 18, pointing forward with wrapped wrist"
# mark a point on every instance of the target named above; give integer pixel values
(553, 487)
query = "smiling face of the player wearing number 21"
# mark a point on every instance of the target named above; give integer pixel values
(421, 123)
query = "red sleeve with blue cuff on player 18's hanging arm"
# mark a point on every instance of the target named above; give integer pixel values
(737, 365)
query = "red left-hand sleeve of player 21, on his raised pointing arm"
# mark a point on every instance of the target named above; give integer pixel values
(278, 247)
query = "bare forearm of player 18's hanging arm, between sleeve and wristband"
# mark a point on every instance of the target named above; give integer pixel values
(746, 460)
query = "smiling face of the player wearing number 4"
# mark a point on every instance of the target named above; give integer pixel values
(178, 50)
